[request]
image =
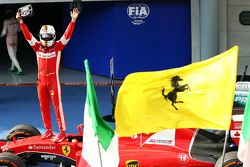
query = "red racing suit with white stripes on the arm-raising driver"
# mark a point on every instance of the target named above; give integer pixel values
(48, 61)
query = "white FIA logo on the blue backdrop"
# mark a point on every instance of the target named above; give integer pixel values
(138, 12)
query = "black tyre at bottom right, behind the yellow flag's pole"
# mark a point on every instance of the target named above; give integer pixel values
(230, 160)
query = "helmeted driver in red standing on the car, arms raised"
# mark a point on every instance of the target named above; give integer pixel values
(48, 53)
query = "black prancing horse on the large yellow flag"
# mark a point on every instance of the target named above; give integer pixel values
(172, 96)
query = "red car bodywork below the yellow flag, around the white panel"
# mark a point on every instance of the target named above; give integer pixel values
(158, 155)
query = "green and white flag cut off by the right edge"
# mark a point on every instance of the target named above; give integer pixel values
(244, 146)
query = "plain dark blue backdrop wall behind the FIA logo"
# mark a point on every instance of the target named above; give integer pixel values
(106, 29)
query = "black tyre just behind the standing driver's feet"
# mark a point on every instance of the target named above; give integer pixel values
(22, 131)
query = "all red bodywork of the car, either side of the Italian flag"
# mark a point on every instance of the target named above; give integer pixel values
(131, 151)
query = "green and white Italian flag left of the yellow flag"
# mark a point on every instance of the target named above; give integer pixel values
(100, 142)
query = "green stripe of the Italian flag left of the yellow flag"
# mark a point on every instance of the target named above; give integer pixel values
(102, 129)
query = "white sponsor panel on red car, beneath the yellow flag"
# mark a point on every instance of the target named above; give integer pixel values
(165, 137)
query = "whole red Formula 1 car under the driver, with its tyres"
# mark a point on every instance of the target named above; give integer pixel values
(171, 148)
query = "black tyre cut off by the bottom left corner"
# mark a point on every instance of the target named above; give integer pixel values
(8, 159)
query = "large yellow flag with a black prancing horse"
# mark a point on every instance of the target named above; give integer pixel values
(199, 95)
